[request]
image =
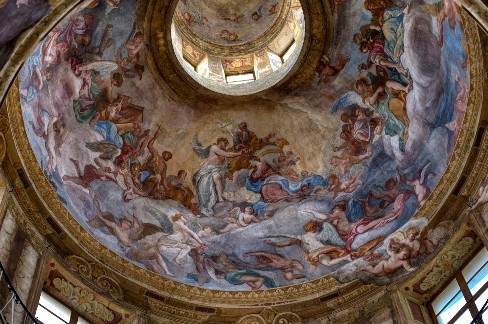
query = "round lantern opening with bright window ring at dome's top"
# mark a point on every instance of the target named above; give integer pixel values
(238, 48)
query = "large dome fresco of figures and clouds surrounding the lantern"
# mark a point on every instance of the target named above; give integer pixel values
(325, 180)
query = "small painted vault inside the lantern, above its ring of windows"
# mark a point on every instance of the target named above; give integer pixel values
(225, 22)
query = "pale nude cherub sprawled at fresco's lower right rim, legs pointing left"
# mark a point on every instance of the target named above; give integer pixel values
(399, 255)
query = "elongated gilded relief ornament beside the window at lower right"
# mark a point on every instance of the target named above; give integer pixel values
(447, 264)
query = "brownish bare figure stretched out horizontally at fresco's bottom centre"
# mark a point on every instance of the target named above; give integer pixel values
(292, 269)
